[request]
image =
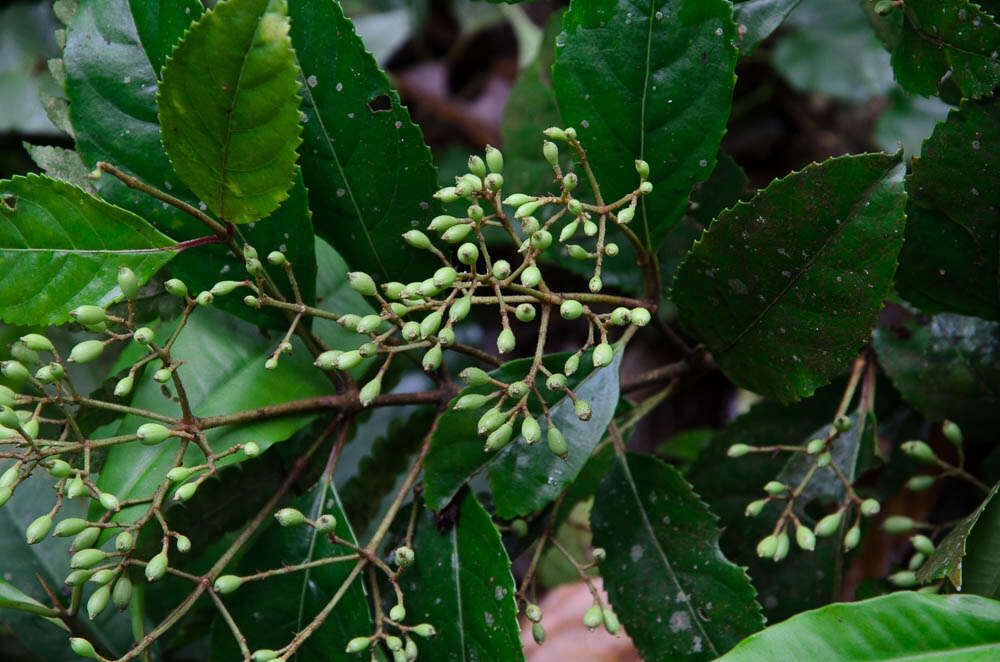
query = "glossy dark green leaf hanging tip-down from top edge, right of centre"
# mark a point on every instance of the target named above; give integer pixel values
(649, 80)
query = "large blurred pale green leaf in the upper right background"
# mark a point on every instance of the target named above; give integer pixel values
(830, 49)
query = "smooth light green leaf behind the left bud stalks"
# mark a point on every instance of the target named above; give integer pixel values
(223, 372)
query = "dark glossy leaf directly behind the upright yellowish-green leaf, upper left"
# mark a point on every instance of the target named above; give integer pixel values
(115, 120)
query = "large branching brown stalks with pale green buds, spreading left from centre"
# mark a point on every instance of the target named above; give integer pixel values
(40, 430)
